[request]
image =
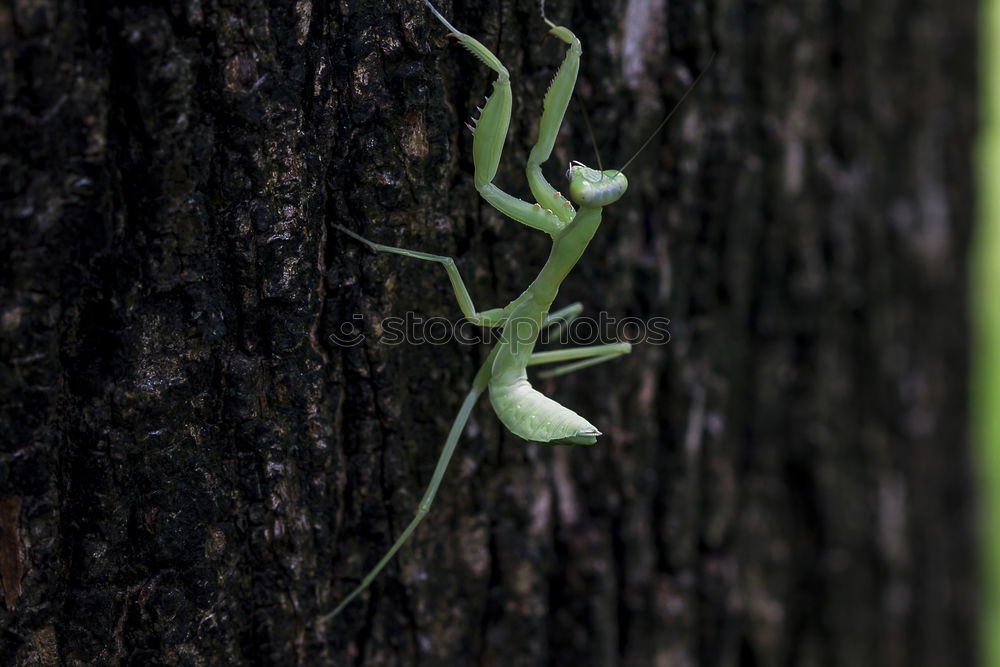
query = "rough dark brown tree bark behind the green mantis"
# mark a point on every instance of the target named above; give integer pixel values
(192, 470)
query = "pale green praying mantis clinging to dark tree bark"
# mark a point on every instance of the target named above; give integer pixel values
(571, 223)
